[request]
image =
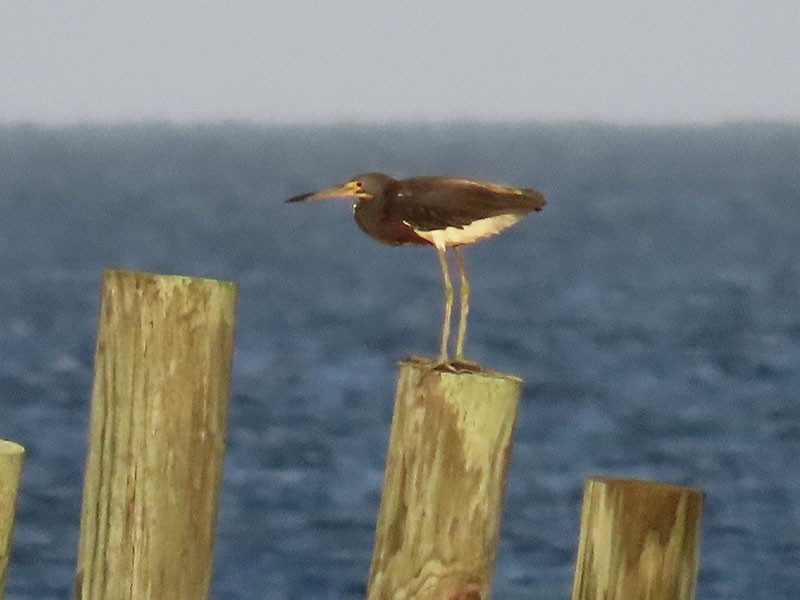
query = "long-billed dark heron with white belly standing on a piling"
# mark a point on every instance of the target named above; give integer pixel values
(444, 212)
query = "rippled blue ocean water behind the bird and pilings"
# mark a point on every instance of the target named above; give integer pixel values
(652, 308)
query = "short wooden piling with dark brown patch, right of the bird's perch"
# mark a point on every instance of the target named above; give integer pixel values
(638, 540)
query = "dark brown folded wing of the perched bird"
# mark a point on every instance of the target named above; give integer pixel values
(429, 203)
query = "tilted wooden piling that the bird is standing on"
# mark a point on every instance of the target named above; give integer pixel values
(439, 518)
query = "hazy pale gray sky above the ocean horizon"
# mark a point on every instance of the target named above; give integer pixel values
(299, 60)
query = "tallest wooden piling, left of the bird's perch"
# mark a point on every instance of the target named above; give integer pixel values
(156, 437)
